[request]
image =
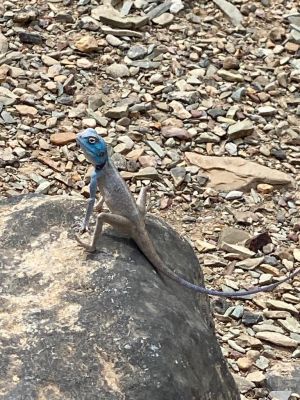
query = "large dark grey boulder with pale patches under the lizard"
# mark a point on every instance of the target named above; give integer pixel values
(103, 326)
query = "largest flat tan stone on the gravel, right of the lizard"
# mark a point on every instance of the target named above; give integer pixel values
(235, 173)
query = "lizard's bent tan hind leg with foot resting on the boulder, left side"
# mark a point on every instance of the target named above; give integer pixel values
(115, 220)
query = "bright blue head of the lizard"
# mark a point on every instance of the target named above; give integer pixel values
(93, 146)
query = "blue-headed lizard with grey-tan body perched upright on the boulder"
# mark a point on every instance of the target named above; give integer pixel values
(128, 215)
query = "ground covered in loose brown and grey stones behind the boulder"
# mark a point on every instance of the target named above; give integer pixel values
(200, 100)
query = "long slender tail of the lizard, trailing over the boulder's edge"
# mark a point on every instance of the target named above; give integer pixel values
(146, 246)
